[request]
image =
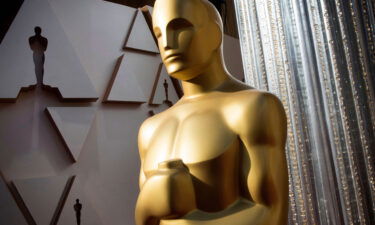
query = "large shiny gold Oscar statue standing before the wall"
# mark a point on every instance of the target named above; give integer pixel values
(217, 156)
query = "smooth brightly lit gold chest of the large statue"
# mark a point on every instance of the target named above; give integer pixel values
(193, 137)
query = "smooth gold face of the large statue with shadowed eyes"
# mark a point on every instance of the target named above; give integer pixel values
(186, 35)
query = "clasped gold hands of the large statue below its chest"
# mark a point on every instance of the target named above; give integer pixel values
(168, 193)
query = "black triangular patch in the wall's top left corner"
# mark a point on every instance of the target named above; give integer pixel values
(8, 11)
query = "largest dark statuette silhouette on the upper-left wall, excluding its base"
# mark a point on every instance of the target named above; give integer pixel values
(38, 45)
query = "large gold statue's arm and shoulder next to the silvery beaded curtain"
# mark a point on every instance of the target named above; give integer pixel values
(264, 137)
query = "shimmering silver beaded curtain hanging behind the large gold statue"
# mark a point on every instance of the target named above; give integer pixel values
(318, 56)
